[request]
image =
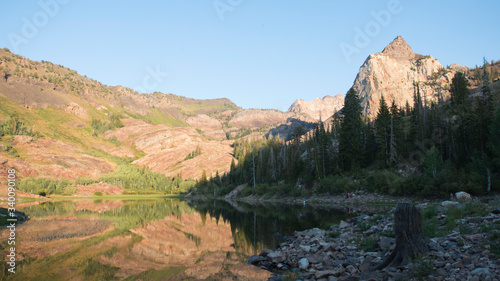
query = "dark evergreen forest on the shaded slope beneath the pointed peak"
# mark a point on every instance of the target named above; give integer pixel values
(428, 149)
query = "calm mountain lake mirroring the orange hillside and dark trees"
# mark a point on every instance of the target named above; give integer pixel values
(160, 239)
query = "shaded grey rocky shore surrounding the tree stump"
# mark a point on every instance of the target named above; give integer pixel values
(467, 247)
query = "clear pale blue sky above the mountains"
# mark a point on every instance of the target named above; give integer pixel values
(259, 54)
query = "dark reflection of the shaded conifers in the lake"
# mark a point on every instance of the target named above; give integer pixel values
(258, 227)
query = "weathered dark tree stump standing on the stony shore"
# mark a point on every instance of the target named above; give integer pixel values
(410, 238)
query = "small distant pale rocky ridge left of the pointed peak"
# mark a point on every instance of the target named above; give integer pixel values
(318, 109)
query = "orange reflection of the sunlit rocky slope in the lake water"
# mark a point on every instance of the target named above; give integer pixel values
(204, 246)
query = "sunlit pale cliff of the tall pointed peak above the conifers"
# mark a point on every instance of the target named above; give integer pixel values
(394, 74)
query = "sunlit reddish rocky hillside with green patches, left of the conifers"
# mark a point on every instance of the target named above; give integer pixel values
(60, 125)
